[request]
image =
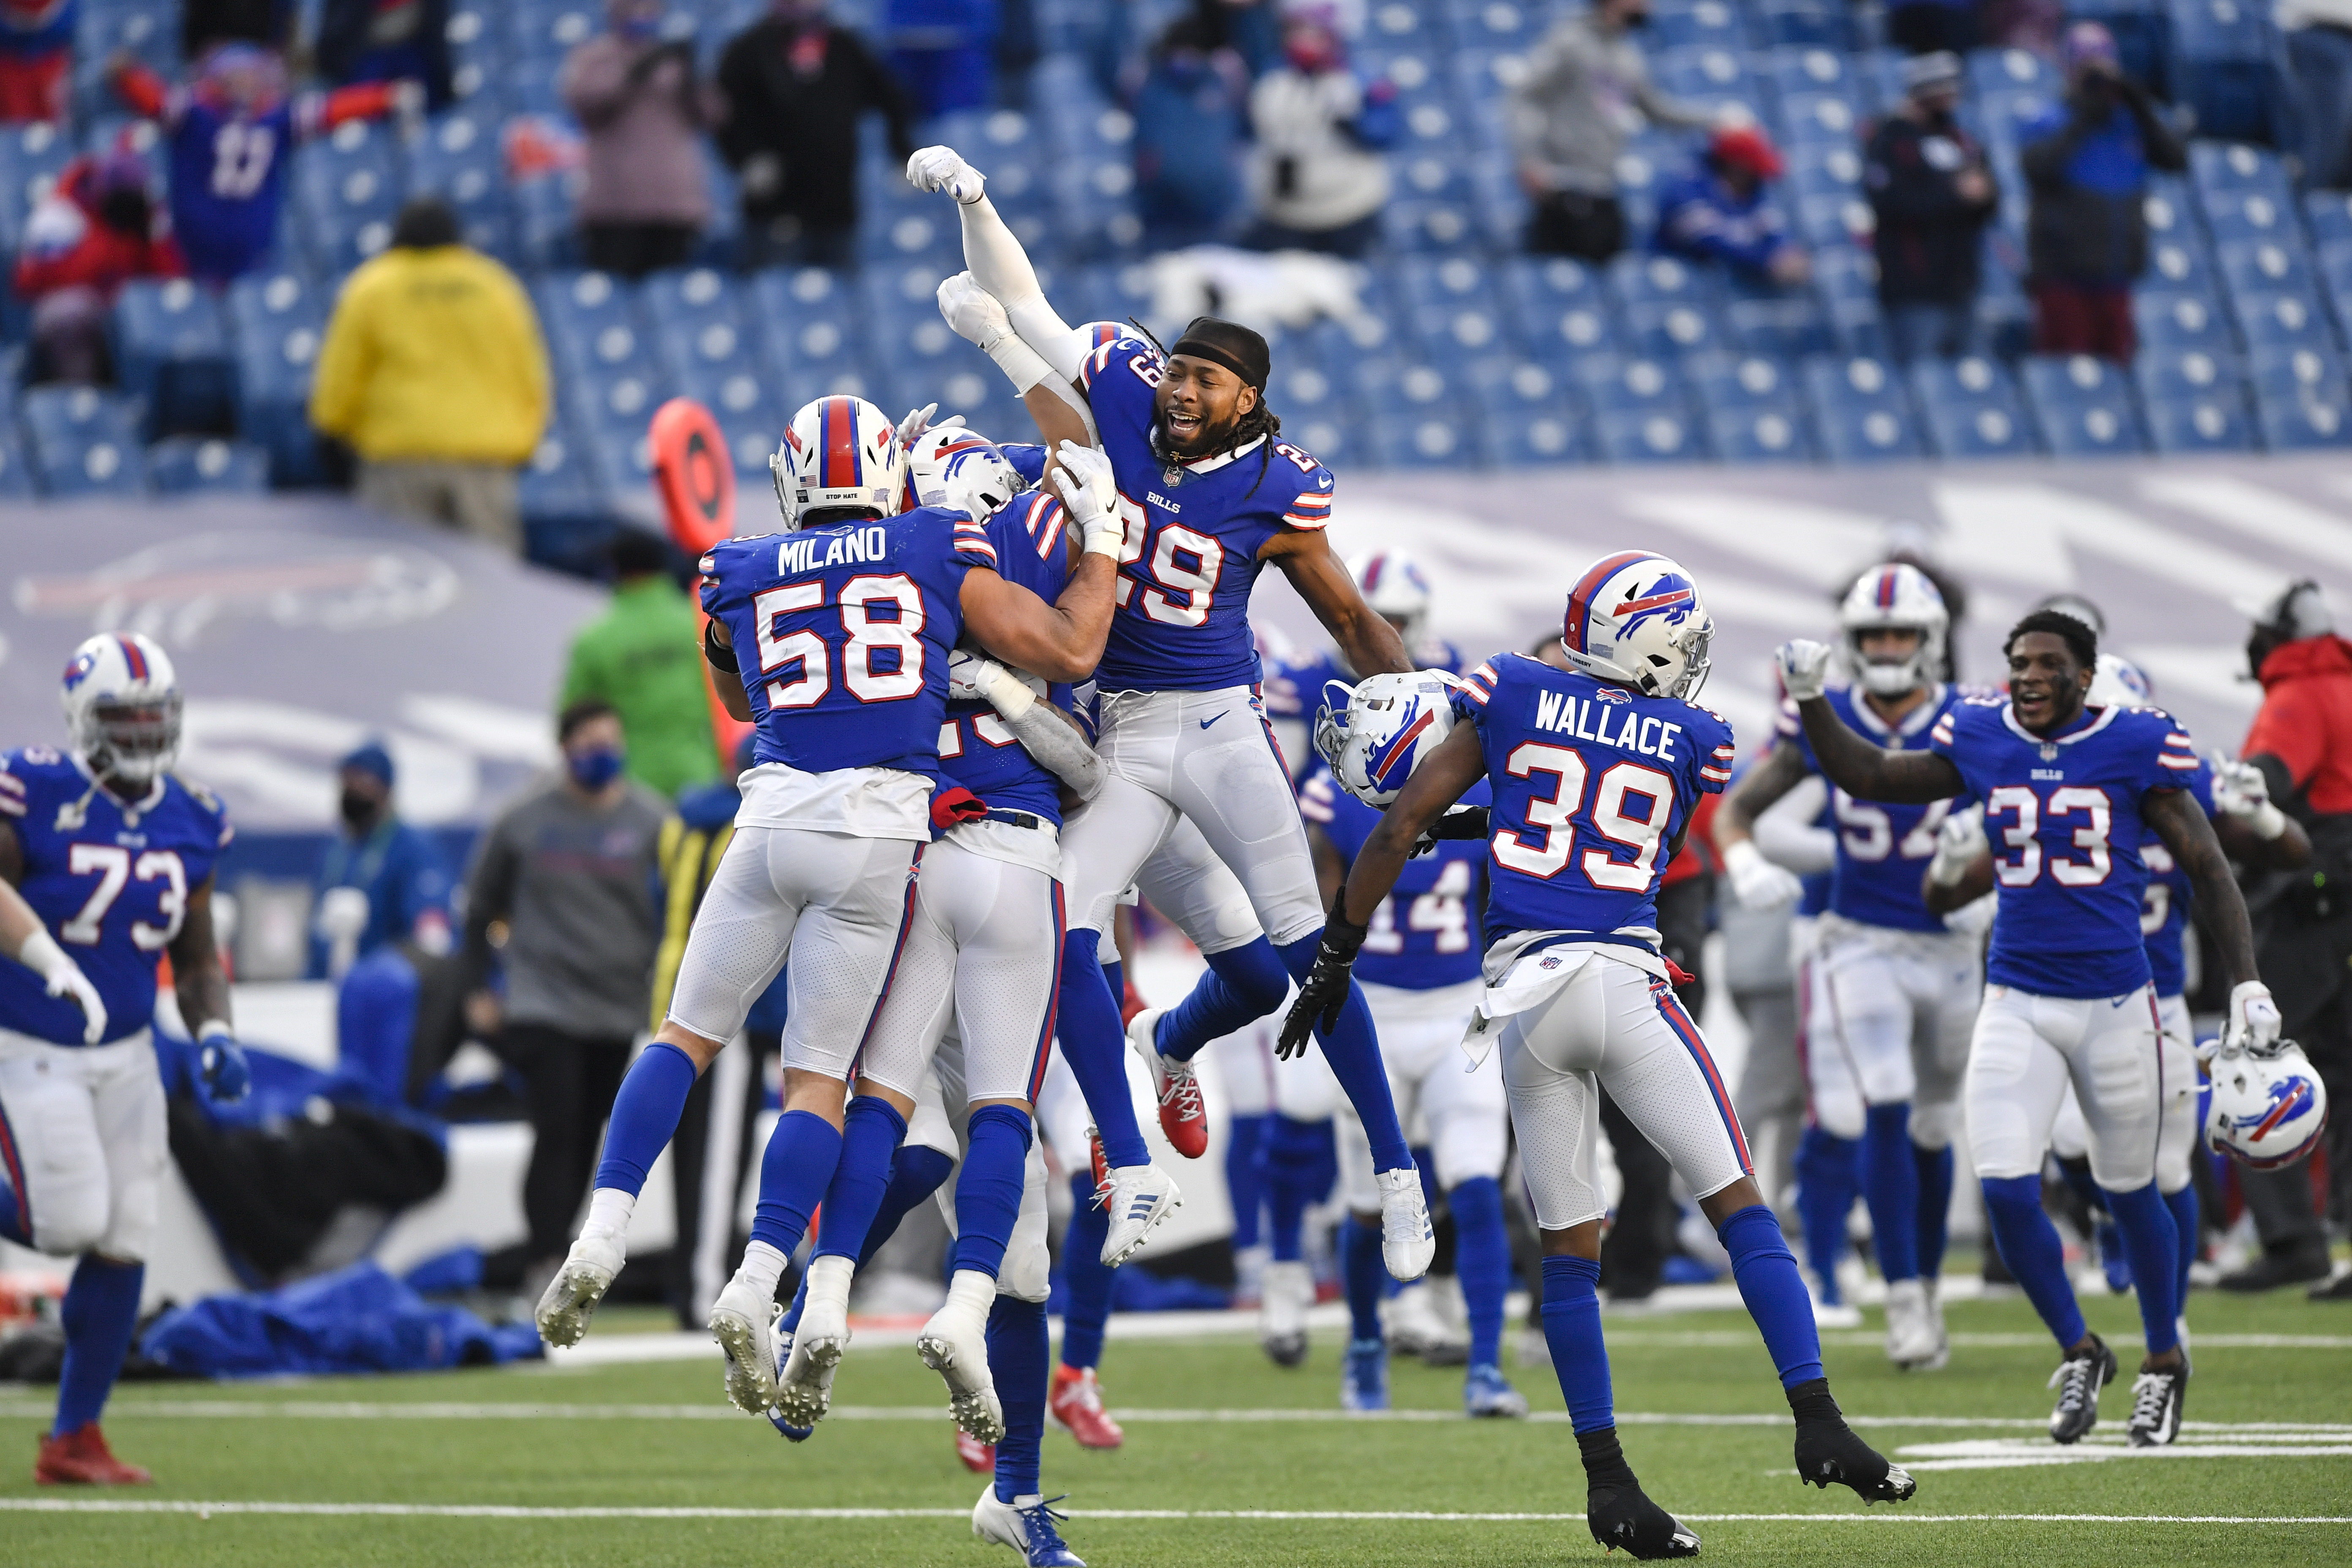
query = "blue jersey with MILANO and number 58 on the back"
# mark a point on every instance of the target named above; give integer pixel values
(843, 636)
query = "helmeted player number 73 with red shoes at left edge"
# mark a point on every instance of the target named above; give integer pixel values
(114, 859)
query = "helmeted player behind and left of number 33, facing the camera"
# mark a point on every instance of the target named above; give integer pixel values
(1892, 991)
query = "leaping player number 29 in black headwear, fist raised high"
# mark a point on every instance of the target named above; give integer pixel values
(1210, 495)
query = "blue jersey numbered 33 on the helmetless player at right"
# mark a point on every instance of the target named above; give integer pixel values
(2064, 819)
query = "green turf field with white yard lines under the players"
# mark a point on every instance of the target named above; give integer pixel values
(1217, 1440)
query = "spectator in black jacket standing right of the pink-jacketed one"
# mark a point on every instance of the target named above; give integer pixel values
(796, 91)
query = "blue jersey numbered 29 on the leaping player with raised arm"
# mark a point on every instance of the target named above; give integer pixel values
(1194, 535)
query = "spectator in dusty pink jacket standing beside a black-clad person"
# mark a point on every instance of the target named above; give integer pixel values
(643, 109)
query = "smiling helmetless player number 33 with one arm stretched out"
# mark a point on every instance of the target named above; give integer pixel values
(2073, 793)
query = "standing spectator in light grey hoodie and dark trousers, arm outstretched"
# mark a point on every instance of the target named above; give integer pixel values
(1584, 91)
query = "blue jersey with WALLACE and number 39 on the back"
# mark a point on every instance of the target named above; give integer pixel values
(1591, 786)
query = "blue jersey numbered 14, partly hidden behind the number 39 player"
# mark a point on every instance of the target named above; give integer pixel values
(1426, 932)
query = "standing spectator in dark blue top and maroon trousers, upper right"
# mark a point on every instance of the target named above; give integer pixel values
(2087, 166)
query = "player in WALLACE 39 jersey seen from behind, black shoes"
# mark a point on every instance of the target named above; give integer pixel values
(1596, 777)
